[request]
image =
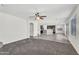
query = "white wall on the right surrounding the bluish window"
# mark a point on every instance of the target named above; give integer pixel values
(75, 40)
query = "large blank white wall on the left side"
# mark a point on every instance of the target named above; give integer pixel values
(12, 28)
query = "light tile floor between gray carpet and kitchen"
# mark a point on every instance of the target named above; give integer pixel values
(54, 37)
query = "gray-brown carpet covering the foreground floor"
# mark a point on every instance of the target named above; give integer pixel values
(37, 47)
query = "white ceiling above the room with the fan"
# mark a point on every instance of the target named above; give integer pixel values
(26, 10)
